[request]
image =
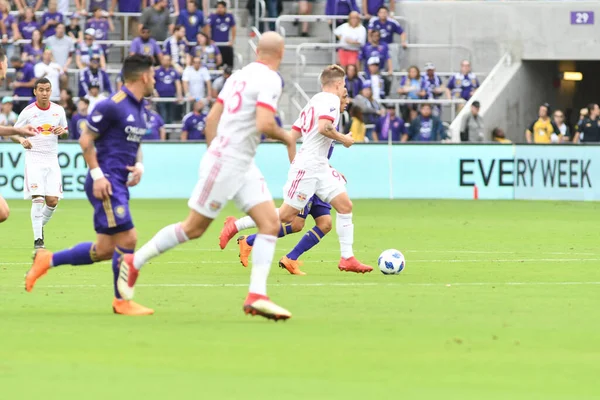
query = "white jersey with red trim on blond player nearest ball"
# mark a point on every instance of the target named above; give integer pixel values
(315, 146)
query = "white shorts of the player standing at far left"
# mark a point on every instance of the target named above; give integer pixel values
(42, 180)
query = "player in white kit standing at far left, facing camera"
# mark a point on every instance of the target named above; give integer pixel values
(43, 180)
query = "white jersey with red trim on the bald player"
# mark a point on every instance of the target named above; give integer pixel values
(255, 85)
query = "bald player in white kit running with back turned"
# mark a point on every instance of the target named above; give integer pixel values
(245, 107)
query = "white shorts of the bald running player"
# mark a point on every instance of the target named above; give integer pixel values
(220, 182)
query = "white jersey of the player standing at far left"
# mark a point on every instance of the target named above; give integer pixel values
(44, 145)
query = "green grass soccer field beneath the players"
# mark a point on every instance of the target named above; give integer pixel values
(499, 300)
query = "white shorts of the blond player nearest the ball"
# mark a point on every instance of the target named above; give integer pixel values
(303, 183)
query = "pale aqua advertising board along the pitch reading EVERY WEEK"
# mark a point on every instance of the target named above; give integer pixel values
(435, 171)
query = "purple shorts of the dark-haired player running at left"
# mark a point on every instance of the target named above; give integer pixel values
(111, 216)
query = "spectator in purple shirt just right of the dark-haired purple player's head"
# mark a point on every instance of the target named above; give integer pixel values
(168, 84)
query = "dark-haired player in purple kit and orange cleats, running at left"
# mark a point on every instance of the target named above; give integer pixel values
(111, 148)
